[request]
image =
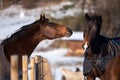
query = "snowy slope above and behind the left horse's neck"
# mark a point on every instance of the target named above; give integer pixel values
(15, 16)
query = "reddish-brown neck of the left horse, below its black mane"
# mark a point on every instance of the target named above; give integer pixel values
(24, 43)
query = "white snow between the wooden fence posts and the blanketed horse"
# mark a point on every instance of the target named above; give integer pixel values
(57, 60)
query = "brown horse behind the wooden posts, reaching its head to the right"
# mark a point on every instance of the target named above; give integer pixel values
(27, 38)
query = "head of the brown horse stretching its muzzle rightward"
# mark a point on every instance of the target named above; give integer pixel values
(52, 30)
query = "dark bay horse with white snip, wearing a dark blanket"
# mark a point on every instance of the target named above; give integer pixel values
(98, 48)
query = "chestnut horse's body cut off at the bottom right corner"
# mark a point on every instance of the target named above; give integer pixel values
(113, 69)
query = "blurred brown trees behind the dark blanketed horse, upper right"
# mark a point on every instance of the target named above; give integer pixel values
(110, 11)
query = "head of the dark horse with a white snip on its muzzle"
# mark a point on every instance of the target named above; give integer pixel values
(92, 28)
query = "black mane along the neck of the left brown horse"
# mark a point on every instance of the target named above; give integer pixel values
(20, 32)
